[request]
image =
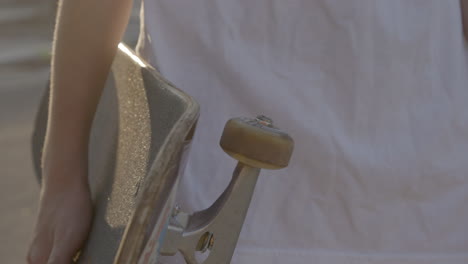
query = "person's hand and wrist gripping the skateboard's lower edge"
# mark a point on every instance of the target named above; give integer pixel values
(65, 212)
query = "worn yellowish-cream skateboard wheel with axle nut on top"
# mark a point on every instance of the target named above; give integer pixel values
(257, 143)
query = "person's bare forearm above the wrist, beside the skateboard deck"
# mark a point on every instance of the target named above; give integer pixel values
(86, 38)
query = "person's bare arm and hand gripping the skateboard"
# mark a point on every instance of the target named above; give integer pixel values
(86, 38)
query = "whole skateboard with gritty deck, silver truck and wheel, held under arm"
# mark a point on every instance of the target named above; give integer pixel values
(139, 143)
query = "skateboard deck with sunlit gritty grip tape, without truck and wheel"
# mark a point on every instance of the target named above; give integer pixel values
(142, 126)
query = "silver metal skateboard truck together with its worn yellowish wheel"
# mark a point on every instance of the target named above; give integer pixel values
(256, 144)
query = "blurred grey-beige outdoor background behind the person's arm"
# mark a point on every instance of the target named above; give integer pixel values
(26, 30)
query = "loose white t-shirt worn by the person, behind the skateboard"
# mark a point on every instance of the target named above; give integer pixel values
(375, 95)
